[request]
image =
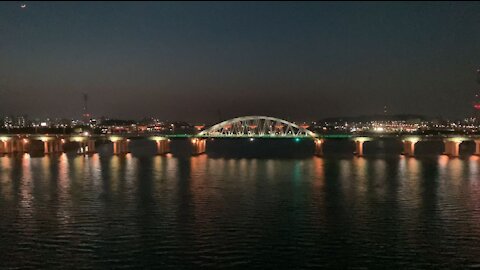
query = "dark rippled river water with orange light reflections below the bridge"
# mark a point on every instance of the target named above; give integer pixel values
(183, 212)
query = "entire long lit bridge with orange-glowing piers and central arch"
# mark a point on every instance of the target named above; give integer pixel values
(247, 127)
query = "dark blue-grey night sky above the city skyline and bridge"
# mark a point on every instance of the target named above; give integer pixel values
(190, 61)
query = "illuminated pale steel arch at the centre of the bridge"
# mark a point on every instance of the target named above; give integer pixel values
(257, 127)
